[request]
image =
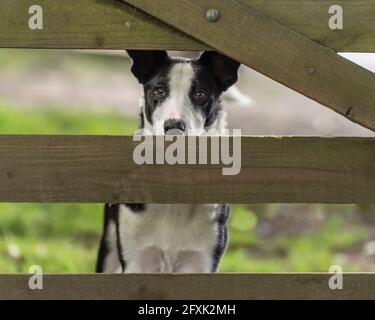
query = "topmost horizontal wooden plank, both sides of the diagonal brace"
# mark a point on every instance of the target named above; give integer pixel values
(106, 24)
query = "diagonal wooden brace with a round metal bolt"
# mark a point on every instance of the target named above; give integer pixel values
(276, 51)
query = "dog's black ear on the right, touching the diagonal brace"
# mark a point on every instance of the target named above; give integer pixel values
(224, 69)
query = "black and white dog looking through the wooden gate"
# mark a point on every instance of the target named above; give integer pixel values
(181, 95)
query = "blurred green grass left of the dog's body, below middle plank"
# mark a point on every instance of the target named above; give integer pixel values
(60, 238)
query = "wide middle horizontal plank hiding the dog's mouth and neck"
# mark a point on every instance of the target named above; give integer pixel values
(102, 169)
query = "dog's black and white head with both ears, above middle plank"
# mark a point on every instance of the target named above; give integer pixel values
(181, 94)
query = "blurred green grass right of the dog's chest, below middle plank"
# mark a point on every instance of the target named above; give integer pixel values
(296, 251)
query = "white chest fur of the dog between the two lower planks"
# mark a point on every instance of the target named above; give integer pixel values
(169, 238)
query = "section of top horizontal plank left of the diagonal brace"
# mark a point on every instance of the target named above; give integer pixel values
(87, 24)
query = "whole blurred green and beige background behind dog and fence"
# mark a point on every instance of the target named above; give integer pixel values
(89, 92)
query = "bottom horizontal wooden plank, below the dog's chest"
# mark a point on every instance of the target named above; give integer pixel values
(189, 286)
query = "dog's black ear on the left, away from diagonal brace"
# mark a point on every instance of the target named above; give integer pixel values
(146, 63)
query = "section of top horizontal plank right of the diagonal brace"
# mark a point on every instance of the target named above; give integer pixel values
(310, 19)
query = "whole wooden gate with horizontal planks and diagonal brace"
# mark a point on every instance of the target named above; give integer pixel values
(287, 40)
